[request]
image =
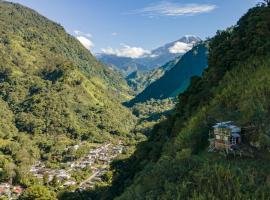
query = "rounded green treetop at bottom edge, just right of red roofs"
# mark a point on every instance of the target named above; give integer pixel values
(38, 192)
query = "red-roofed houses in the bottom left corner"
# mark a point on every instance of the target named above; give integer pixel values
(10, 191)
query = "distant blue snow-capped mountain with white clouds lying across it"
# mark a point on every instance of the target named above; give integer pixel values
(129, 59)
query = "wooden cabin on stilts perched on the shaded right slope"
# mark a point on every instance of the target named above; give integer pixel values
(225, 136)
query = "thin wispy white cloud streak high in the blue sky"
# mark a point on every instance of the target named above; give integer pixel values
(164, 8)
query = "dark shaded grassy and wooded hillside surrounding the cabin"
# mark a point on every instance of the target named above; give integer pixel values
(174, 163)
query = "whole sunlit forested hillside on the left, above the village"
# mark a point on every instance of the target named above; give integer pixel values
(53, 93)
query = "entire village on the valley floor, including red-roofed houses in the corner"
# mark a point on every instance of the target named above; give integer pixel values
(97, 160)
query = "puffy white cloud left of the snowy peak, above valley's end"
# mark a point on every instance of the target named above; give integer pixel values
(127, 51)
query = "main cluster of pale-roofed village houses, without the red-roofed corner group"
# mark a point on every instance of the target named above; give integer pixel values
(98, 159)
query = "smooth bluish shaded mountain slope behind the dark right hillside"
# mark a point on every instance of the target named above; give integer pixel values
(177, 79)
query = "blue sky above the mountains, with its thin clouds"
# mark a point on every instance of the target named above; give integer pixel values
(145, 24)
